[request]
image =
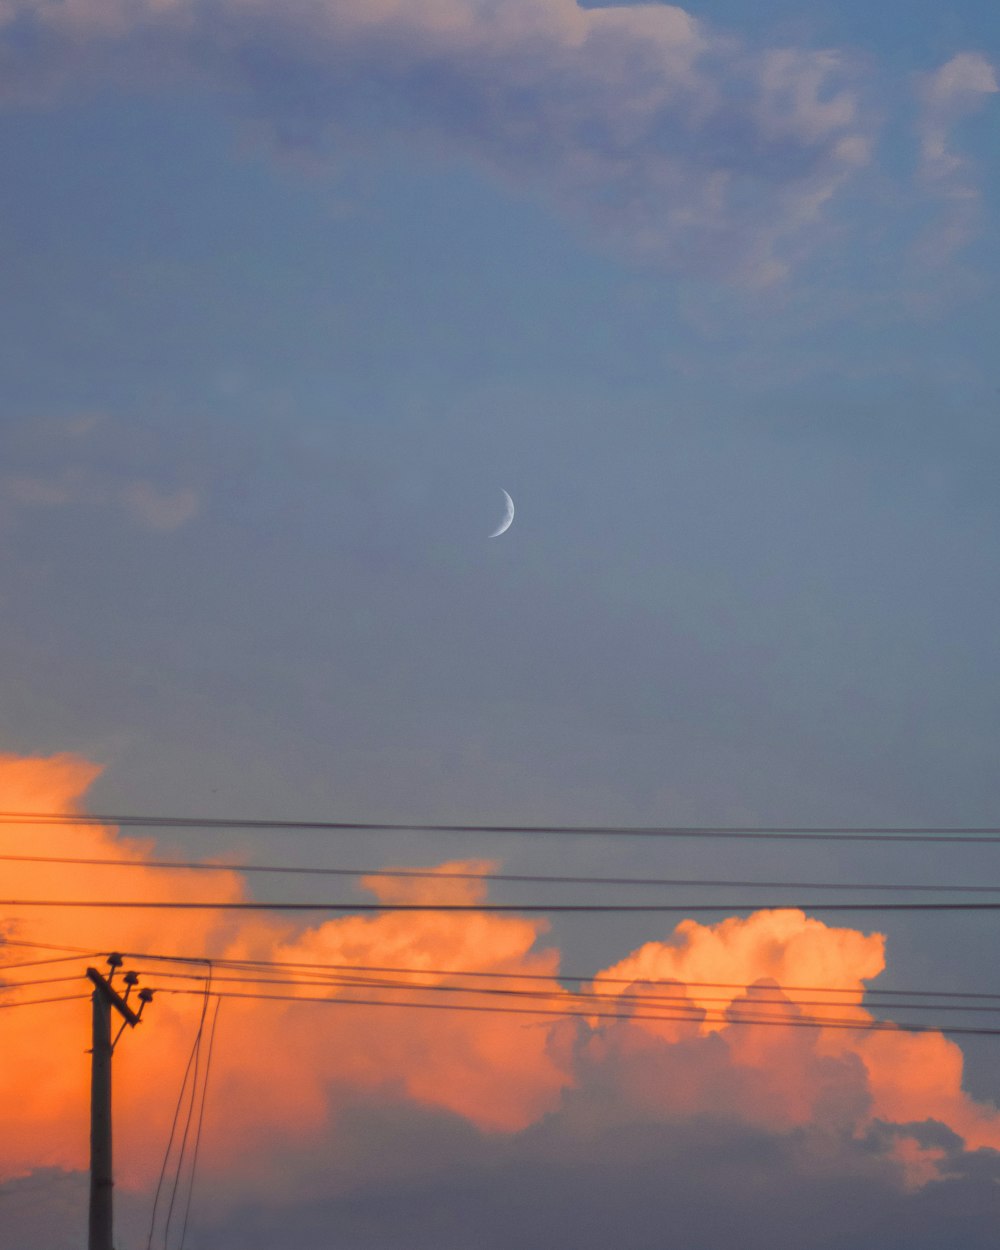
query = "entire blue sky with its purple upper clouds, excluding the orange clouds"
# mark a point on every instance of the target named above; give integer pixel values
(289, 294)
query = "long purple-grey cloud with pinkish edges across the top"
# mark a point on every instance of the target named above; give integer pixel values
(659, 133)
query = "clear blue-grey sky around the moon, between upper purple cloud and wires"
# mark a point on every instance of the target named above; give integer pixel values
(763, 506)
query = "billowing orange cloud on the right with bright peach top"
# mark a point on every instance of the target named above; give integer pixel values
(794, 1076)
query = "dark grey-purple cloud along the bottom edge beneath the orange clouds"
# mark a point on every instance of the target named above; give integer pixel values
(579, 1181)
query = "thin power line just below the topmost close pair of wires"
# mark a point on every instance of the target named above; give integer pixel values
(519, 878)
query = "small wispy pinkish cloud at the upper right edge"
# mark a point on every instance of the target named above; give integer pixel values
(958, 89)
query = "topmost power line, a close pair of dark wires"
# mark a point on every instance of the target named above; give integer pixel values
(986, 834)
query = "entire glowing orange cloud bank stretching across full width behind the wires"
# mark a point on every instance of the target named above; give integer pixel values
(292, 1078)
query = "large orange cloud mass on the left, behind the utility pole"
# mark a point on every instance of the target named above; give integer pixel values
(278, 1064)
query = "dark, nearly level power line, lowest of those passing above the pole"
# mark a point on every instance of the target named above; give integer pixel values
(544, 908)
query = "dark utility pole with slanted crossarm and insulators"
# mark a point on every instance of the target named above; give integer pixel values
(102, 1178)
